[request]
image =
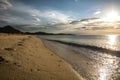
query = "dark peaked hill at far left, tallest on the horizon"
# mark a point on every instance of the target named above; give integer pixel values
(9, 29)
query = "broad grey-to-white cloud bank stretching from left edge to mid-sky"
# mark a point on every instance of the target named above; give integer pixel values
(24, 14)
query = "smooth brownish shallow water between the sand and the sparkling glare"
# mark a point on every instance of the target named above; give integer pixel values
(79, 62)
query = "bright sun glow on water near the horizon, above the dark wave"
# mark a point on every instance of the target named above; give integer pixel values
(112, 41)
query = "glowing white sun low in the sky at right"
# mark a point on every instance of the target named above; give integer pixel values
(111, 16)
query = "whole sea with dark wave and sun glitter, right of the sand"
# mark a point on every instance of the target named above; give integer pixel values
(94, 57)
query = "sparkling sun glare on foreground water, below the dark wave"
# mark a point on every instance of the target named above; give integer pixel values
(107, 68)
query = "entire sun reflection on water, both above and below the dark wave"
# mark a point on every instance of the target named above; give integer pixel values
(109, 63)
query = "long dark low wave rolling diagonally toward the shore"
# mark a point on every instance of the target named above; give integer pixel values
(94, 48)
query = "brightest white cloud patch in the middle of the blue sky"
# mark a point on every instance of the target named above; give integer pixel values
(50, 15)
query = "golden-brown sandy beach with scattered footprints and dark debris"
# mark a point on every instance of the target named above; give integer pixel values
(24, 57)
